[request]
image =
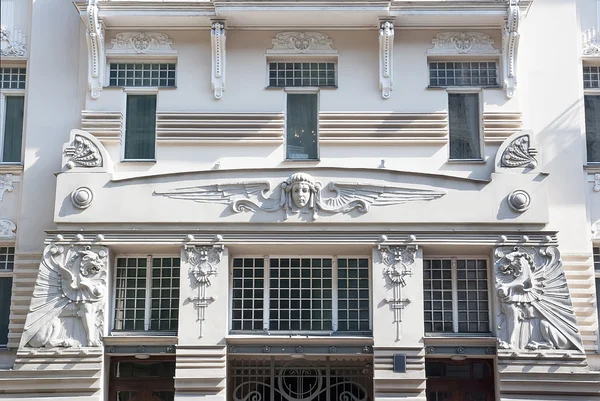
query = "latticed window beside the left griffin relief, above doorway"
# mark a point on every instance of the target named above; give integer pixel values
(147, 294)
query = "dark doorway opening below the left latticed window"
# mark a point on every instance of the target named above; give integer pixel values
(133, 379)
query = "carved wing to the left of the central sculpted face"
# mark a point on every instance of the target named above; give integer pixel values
(218, 193)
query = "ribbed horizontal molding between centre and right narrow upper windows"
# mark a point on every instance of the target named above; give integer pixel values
(376, 127)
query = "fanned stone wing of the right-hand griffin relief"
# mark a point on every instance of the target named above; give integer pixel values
(553, 302)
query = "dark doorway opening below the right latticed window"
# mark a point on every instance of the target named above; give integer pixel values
(468, 380)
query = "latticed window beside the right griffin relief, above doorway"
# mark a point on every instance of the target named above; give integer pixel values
(456, 295)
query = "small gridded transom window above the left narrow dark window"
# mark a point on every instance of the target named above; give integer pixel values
(146, 74)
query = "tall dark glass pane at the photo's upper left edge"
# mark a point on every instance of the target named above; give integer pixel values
(13, 129)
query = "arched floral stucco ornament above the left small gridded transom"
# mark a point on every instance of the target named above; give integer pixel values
(136, 43)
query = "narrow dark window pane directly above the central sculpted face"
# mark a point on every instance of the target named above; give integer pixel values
(302, 126)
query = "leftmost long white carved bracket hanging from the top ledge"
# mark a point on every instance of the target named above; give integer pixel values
(95, 41)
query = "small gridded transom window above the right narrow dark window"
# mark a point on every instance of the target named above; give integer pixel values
(467, 73)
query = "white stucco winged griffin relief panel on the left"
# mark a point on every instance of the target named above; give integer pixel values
(67, 305)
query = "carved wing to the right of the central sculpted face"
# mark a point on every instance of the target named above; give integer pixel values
(354, 195)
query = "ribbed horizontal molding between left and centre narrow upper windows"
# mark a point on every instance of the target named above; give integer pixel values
(219, 127)
